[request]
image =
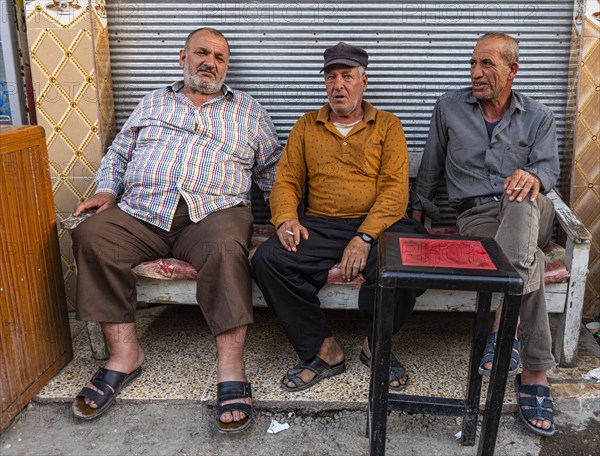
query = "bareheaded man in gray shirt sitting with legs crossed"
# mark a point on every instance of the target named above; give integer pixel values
(498, 150)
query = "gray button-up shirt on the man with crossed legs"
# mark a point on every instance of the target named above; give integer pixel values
(475, 165)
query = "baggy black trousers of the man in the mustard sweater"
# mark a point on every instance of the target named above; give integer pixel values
(290, 281)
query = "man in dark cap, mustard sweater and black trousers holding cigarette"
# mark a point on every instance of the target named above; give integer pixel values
(352, 161)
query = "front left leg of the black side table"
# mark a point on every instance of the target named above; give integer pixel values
(380, 369)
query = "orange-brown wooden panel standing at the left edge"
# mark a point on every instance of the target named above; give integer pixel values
(35, 340)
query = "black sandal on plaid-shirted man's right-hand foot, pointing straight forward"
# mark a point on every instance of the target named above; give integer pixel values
(227, 391)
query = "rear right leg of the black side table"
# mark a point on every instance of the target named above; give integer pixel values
(480, 327)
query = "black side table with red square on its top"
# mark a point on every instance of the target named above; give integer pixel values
(449, 263)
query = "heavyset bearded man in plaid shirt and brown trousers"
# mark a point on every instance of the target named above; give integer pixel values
(181, 169)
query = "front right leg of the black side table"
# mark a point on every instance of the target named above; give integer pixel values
(495, 397)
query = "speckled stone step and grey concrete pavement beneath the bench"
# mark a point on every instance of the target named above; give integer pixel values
(165, 414)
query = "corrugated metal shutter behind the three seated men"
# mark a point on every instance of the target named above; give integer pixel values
(417, 51)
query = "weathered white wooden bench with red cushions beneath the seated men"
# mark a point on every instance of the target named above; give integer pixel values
(565, 285)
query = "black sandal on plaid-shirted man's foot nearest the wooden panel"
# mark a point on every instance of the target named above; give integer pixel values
(108, 381)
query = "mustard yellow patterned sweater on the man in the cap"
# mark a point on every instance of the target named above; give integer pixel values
(364, 174)
